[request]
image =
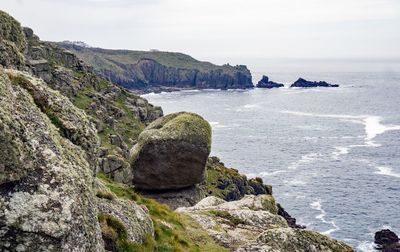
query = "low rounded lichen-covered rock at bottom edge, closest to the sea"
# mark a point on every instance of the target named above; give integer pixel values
(294, 240)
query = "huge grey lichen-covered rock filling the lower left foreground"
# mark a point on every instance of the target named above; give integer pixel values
(46, 197)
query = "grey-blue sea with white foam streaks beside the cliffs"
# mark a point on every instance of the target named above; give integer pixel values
(331, 154)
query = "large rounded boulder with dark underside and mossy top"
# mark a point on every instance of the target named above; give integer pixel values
(171, 152)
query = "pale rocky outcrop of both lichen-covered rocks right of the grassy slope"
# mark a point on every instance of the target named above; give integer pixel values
(252, 224)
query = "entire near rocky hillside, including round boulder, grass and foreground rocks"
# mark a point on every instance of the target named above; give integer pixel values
(73, 147)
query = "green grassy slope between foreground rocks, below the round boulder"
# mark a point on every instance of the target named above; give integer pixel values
(173, 231)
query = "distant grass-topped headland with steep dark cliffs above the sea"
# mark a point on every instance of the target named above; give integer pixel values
(158, 71)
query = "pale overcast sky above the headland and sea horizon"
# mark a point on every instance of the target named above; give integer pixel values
(218, 29)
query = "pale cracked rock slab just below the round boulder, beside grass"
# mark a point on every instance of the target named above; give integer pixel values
(235, 223)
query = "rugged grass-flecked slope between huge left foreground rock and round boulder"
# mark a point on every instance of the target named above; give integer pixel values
(118, 114)
